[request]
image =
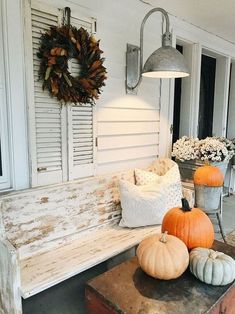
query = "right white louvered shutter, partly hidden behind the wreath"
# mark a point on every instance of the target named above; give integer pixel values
(81, 126)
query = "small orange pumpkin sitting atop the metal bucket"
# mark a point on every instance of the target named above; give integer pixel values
(209, 176)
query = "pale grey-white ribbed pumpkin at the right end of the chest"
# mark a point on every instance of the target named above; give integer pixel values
(211, 267)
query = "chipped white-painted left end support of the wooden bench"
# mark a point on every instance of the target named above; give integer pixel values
(10, 298)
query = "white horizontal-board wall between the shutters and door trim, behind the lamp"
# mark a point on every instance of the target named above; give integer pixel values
(128, 126)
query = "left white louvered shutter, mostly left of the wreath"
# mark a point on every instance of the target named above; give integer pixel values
(48, 112)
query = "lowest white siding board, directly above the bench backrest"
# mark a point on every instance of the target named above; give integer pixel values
(125, 164)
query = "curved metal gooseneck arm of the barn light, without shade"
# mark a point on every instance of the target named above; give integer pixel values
(166, 38)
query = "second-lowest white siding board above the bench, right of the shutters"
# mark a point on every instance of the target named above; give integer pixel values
(115, 155)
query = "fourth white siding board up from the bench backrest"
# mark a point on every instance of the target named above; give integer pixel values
(118, 128)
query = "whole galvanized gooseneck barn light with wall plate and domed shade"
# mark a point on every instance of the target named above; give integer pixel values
(165, 62)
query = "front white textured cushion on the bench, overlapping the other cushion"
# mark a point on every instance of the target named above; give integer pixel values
(142, 205)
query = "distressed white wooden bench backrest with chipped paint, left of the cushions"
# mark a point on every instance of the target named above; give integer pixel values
(41, 218)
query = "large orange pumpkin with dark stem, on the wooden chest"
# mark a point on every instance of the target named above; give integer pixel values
(191, 225)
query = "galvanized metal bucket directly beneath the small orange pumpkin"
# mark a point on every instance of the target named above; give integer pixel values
(207, 197)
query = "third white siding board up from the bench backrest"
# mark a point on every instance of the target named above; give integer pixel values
(134, 140)
